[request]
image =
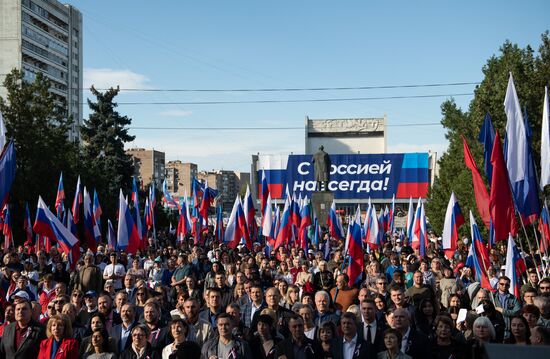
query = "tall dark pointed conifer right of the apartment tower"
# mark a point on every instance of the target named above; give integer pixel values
(104, 133)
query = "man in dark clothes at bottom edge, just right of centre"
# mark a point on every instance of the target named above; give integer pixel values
(297, 345)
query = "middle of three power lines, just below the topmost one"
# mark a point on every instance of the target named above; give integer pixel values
(294, 101)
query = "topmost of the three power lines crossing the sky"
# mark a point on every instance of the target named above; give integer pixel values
(297, 89)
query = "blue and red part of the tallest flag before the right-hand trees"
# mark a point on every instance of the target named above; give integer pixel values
(526, 192)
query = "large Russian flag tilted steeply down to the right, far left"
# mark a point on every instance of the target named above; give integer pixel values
(48, 225)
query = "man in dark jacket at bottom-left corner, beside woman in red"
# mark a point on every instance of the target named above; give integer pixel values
(21, 339)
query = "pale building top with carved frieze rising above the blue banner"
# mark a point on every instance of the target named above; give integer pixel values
(346, 136)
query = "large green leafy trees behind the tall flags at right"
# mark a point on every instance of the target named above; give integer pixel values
(531, 73)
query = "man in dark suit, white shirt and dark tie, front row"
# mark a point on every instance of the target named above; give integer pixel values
(371, 330)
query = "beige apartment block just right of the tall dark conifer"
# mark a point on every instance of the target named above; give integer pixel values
(149, 166)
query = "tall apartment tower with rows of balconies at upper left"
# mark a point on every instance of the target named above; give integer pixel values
(45, 36)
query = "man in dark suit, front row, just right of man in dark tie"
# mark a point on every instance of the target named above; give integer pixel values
(414, 342)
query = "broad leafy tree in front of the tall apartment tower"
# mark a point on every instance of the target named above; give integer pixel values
(37, 121)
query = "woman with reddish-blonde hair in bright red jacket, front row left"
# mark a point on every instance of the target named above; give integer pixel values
(59, 344)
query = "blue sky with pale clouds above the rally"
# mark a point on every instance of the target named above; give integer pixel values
(228, 45)
